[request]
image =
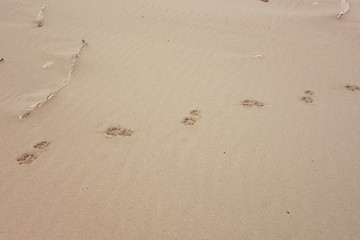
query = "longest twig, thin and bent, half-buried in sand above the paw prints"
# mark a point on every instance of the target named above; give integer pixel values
(53, 94)
